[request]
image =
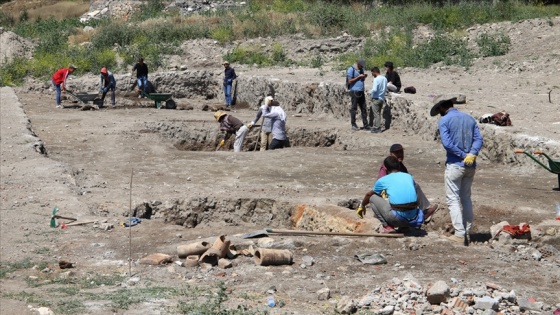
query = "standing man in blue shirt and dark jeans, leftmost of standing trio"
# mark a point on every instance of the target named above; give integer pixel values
(356, 77)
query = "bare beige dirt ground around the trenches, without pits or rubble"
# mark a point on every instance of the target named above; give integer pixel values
(91, 155)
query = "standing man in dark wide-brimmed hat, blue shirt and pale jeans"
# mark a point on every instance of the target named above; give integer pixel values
(462, 140)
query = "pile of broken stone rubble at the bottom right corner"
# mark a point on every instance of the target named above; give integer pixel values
(408, 296)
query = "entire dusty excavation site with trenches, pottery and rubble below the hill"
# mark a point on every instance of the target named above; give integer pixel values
(135, 209)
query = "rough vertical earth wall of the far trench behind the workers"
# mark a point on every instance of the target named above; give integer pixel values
(404, 113)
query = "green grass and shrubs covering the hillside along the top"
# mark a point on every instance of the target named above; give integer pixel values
(153, 33)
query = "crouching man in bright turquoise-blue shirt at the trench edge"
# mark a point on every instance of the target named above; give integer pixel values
(393, 200)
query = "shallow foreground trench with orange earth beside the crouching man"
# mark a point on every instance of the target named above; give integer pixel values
(260, 212)
